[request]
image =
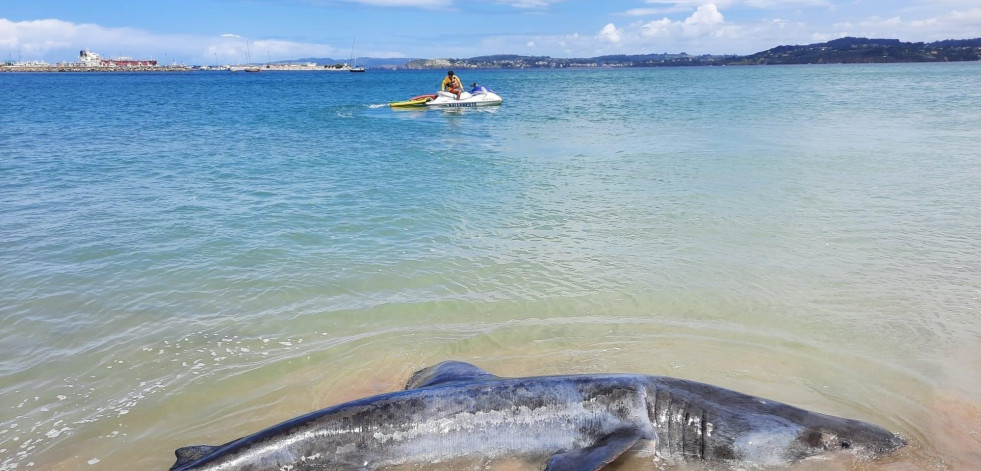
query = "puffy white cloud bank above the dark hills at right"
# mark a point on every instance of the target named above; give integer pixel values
(707, 29)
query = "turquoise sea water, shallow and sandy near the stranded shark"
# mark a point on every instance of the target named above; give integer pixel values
(187, 258)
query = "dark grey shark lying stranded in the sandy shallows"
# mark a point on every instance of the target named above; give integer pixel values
(574, 423)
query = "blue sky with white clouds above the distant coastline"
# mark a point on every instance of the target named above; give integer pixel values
(210, 31)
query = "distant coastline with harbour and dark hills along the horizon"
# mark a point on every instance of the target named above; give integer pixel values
(848, 50)
